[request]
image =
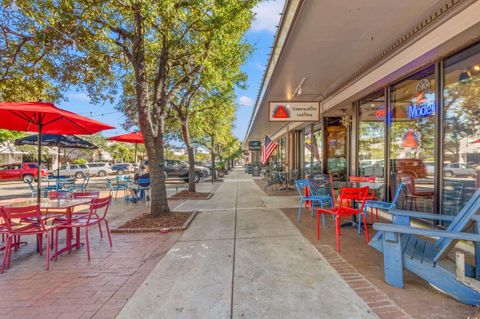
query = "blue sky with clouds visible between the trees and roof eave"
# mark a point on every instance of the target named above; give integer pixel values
(260, 36)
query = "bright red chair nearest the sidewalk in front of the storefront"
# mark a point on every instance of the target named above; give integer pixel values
(359, 195)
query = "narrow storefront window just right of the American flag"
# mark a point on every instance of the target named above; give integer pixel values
(313, 149)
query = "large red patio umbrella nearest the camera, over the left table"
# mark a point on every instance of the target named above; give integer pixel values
(45, 117)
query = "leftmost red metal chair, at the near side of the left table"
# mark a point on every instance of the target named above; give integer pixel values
(22, 221)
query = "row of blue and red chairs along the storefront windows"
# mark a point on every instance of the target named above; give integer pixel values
(349, 203)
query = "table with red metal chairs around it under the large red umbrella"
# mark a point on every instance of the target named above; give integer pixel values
(49, 217)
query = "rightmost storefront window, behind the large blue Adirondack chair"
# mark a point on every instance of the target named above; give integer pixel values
(461, 142)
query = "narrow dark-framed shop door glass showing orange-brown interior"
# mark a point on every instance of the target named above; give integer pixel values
(336, 148)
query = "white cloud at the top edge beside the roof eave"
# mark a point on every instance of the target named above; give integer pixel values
(267, 15)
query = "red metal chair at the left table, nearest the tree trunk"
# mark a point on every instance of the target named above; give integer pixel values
(96, 215)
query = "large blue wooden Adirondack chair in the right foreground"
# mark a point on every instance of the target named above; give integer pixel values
(403, 248)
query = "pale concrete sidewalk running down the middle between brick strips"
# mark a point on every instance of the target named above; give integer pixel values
(243, 258)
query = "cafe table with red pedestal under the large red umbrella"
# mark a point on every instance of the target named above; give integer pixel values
(61, 206)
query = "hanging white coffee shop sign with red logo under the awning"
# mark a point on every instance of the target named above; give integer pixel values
(294, 111)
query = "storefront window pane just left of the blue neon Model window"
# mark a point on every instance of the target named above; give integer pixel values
(371, 137)
